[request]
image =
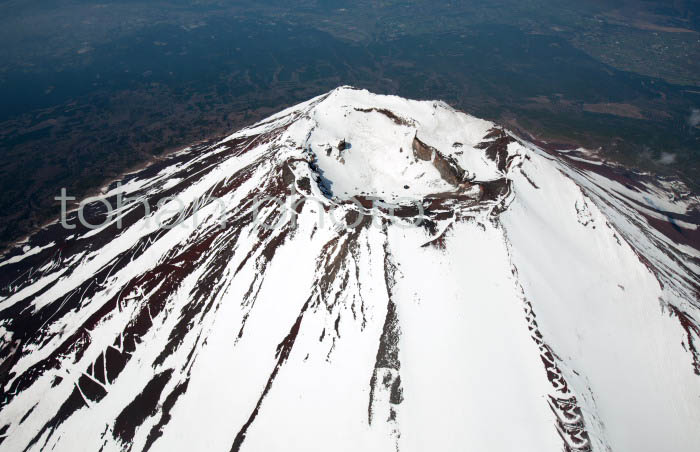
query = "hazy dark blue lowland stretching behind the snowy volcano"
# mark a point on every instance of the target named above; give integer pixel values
(89, 90)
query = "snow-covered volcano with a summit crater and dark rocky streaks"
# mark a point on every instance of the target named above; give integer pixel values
(359, 272)
